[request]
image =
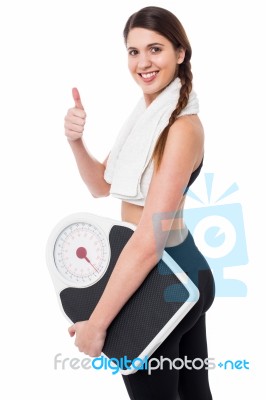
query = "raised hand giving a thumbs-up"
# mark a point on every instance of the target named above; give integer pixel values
(75, 118)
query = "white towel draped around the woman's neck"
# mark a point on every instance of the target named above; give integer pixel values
(135, 143)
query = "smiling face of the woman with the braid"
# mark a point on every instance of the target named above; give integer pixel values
(152, 61)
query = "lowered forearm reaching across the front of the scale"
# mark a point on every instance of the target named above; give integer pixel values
(131, 269)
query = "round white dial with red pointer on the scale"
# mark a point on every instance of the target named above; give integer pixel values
(81, 254)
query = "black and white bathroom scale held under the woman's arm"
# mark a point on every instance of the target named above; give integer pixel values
(81, 254)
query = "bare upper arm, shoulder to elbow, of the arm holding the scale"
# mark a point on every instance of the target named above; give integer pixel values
(182, 154)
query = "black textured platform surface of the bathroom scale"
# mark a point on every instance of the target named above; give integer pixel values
(143, 316)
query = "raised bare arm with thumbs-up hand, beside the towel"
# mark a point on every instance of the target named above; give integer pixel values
(90, 169)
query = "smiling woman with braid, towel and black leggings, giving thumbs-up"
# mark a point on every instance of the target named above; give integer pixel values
(157, 156)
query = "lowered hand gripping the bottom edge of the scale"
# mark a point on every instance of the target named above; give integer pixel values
(89, 338)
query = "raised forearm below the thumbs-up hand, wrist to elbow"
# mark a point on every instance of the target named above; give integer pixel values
(90, 169)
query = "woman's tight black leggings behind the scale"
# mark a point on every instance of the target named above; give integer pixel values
(187, 340)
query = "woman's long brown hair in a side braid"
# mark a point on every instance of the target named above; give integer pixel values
(166, 24)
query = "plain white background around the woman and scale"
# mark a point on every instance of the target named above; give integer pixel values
(47, 47)
